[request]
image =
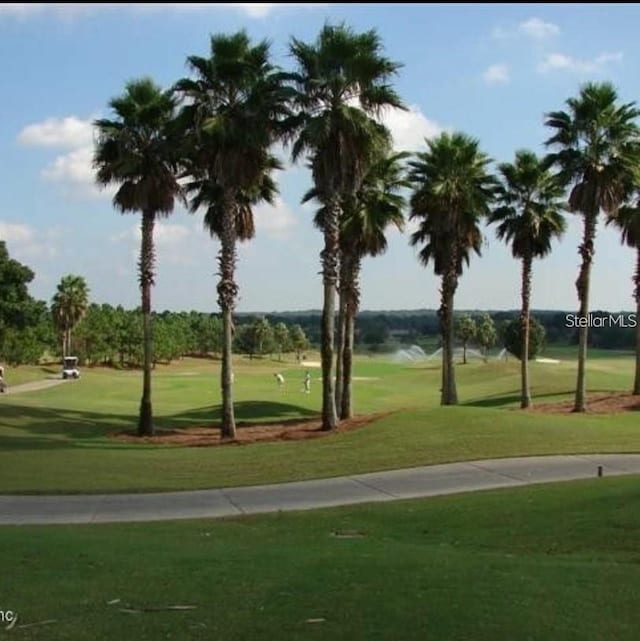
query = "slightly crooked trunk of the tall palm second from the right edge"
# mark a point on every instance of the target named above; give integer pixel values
(586, 251)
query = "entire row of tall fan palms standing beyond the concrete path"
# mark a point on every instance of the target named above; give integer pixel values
(209, 141)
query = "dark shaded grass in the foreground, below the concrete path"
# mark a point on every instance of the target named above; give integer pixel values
(547, 563)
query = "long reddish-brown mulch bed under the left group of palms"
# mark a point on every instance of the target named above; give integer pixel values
(247, 433)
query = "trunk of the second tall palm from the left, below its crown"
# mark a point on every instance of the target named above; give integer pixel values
(227, 292)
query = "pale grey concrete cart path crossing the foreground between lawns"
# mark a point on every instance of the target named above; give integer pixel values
(346, 490)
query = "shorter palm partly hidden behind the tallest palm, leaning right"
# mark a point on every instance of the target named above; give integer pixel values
(376, 206)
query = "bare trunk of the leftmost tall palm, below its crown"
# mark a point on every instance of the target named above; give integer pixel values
(147, 259)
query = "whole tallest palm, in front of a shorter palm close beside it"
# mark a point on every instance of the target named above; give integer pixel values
(341, 83)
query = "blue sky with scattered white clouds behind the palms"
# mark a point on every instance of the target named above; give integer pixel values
(491, 71)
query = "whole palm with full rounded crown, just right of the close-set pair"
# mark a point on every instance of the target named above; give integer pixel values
(452, 191)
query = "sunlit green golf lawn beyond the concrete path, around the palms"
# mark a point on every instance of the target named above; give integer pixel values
(58, 439)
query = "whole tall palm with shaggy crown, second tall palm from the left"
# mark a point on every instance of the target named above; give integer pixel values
(235, 108)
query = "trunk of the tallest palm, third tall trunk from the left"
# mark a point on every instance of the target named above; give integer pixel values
(330, 259)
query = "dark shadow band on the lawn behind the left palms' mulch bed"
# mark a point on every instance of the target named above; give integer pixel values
(38, 428)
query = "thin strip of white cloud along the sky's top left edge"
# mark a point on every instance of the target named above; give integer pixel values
(69, 10)
